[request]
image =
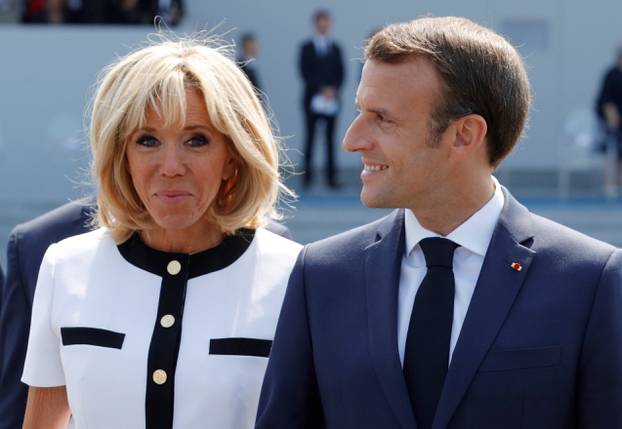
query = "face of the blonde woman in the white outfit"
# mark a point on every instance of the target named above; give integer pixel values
(177, 172)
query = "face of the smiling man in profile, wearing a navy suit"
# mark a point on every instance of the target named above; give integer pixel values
(404, 165)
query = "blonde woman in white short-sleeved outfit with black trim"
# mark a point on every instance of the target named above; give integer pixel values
(163, 317)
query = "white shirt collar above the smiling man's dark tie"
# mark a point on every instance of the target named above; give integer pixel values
(473, 234)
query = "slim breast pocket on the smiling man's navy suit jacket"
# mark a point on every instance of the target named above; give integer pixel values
(502, 360)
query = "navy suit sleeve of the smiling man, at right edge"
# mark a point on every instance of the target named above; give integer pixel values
(599, 393)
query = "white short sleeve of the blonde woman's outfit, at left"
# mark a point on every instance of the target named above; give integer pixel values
(43, 367)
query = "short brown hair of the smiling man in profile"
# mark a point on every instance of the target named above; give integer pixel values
(481, 72)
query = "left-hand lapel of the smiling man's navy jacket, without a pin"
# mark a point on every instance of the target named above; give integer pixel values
(382, 273)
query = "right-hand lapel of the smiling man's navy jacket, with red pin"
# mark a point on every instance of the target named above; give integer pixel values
(496, 289)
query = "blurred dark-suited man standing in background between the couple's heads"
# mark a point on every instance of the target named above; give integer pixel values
(321, 67)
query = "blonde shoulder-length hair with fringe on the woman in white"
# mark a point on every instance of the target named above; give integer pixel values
(156, 77)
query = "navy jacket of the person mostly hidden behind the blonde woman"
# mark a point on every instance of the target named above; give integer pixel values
(27, 244)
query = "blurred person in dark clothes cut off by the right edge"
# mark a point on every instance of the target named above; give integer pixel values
(609, 110)
